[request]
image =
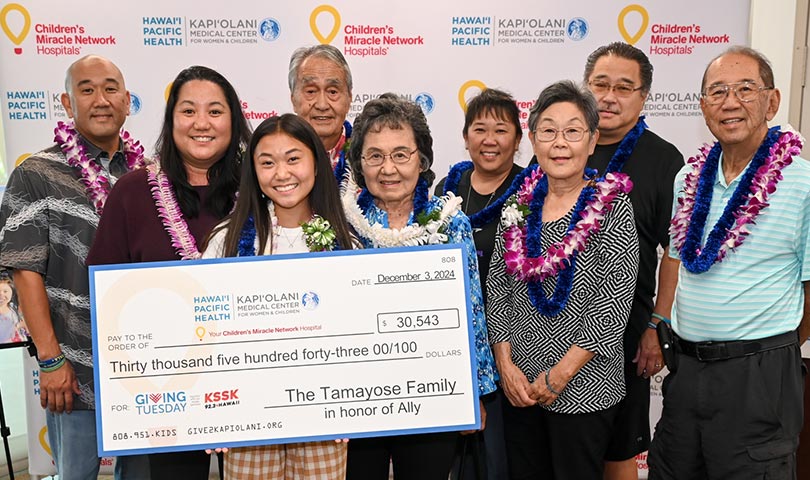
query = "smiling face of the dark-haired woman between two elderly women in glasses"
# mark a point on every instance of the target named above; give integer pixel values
(492, 144)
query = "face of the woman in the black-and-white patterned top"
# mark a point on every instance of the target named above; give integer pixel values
(561, 159)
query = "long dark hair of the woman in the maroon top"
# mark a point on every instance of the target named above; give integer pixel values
(223, 176)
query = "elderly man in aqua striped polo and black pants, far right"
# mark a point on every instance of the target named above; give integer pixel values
(733, 403)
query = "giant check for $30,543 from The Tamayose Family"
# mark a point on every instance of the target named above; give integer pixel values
(282, 349)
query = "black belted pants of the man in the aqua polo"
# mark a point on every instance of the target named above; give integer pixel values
(737, 418)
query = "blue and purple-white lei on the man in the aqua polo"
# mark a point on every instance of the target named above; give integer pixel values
(758, 182)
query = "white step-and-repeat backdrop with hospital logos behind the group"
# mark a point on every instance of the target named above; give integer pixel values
(438, 54)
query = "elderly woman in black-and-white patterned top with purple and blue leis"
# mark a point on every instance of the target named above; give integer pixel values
(559, 292)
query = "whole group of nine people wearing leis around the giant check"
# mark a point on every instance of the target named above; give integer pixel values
(569, 297)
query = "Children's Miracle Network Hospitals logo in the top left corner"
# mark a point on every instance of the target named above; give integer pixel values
(51, 38)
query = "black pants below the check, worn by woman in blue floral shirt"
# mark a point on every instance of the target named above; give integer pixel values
(415, 457)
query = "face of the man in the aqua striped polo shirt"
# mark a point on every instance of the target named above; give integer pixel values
(732, 122)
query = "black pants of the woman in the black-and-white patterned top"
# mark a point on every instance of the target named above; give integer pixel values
(556, 446)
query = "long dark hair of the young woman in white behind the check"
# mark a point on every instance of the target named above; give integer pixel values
(324, 197)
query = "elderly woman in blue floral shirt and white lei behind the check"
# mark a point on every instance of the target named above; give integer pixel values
(390, 159)
